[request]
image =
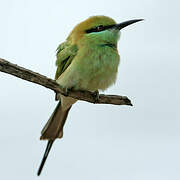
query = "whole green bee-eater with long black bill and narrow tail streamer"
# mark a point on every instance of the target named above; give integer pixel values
(87, 60)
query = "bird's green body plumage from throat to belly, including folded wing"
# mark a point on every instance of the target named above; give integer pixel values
(90, 64)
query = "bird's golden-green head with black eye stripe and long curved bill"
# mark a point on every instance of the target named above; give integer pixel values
(98, 30)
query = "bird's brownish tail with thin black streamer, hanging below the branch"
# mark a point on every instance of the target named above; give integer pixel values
(52, 130)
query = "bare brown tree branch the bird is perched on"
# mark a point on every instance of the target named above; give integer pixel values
(37, 78)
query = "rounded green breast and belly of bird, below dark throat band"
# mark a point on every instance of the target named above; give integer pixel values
(97, 67)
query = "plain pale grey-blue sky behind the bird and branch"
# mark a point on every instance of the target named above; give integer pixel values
(100, 142)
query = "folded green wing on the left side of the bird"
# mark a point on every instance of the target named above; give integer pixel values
(65, 54)
